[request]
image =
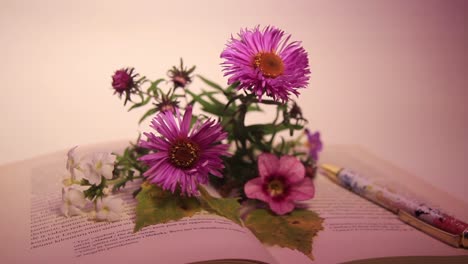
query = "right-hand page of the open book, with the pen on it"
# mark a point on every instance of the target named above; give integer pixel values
(355, 228)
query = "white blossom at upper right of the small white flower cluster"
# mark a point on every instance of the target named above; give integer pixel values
(100, 164)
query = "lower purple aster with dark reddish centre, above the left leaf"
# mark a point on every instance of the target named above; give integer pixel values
(183, 156)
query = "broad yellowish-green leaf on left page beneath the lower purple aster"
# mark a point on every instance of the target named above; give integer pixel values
(157, 206)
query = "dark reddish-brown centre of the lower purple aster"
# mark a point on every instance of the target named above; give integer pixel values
(184, 154)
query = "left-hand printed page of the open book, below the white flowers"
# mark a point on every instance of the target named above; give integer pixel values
(38, 233)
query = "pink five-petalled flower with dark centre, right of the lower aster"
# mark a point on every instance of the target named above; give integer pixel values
(280, 184)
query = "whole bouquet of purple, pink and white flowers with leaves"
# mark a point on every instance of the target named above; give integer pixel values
(260, 172)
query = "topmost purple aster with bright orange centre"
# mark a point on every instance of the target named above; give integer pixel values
(265, 62)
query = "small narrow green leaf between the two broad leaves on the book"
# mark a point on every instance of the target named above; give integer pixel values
(226, 207)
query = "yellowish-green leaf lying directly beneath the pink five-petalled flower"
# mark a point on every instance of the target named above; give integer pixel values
(294, 230)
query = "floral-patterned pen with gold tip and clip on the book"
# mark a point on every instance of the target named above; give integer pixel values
(429, 220)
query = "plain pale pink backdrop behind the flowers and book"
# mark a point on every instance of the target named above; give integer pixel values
(390, 76)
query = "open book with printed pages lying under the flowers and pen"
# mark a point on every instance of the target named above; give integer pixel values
(33, 230)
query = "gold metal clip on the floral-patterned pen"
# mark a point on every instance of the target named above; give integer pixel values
(451, 239)
